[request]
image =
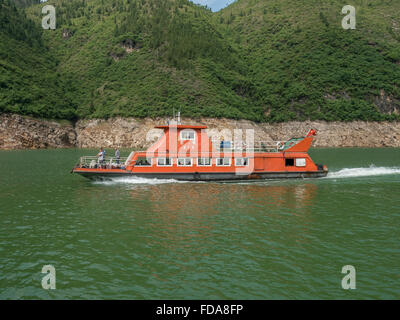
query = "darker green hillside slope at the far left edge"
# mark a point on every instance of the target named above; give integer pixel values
(29, 82)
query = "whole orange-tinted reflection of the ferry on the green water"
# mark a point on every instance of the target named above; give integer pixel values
(187, 217)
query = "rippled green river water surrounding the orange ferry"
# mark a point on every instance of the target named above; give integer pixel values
(152, 239)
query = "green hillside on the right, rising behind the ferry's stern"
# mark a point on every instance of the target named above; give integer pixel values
(305, 66)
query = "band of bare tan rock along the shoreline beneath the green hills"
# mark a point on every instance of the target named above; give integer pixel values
(20, 132)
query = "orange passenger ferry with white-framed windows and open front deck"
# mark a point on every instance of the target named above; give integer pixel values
(185, 152)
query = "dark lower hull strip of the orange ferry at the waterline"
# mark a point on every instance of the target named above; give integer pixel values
(205, 176)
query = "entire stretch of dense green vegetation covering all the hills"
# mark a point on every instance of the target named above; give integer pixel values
(273, 60)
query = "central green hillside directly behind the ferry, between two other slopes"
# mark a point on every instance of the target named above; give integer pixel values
(144, 58)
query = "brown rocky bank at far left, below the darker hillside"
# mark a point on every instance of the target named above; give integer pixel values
(17, 132)
